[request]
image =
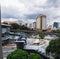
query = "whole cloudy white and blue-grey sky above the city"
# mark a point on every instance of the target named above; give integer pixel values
(27, 10)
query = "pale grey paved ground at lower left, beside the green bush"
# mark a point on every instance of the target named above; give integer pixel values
(7, 50)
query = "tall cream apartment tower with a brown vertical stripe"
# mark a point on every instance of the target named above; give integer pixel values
(41, 22)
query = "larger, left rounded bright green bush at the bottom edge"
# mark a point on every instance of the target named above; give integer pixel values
(18, 54)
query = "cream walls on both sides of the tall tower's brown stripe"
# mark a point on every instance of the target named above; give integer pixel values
(38, 22)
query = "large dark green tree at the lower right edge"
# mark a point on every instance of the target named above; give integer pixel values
(54, 48)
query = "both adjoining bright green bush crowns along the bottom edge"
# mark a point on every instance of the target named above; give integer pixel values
(21, 54)
